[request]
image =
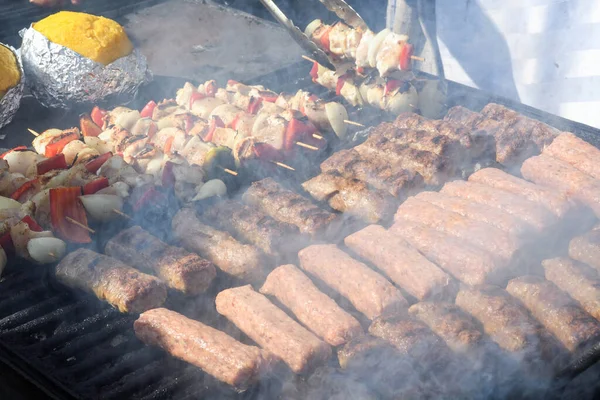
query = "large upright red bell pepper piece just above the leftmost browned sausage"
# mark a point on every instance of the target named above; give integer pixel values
(64, 202)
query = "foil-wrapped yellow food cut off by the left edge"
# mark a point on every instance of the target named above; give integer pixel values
(11, 83)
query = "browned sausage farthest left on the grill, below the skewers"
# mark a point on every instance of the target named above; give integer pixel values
(120, 285)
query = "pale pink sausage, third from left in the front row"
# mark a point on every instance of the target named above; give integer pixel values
(312, 308)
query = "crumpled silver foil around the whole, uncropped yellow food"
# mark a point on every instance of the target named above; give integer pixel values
(60, 78)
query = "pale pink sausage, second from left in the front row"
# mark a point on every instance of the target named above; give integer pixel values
(272, 329)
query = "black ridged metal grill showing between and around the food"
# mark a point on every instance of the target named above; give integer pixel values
(74, 346)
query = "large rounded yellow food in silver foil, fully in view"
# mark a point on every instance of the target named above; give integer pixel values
(71, 58)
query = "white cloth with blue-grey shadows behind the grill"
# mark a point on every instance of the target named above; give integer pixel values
(544, 53)
